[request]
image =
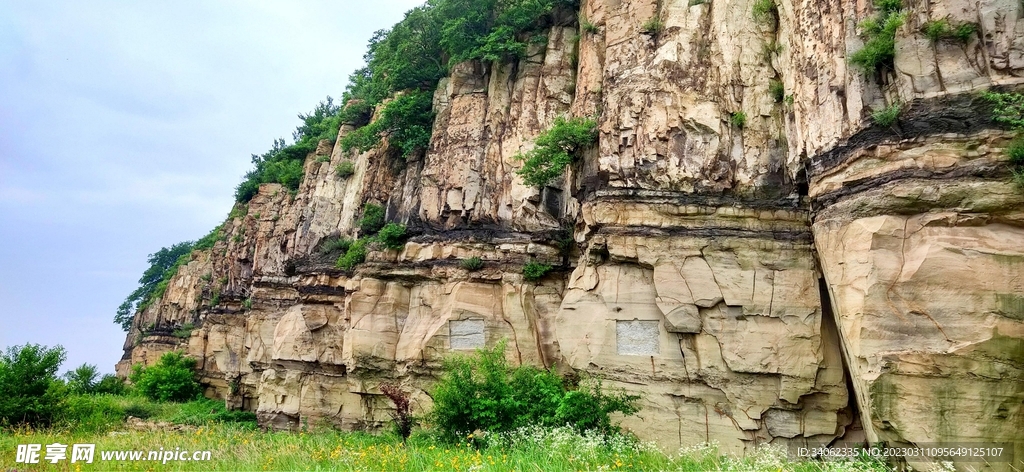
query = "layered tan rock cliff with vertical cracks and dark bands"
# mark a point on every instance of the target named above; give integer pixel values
(801, 278)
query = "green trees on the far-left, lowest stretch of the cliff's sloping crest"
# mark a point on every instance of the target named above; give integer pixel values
(163, 266)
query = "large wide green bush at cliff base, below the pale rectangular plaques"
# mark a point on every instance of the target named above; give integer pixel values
(484, 393)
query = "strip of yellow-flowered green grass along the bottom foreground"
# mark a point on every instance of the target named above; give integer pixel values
(235, 448)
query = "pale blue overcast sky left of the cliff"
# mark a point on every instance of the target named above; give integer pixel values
(125, 127)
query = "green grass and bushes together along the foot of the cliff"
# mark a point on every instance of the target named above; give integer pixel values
(498, 397)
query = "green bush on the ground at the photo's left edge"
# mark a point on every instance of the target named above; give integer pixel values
(30, 392)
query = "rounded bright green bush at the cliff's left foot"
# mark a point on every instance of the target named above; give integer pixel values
(173, 379)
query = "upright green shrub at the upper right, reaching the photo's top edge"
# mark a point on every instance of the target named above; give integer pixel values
(880, 37)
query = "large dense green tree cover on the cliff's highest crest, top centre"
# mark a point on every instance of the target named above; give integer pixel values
(407, 62)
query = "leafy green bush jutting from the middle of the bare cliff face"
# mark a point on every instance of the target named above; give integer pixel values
(557, 149)
